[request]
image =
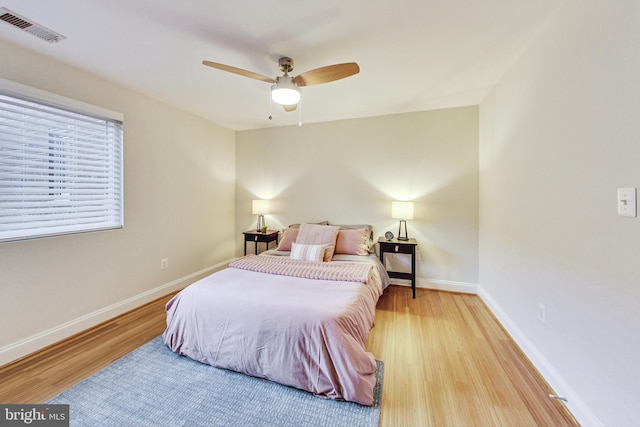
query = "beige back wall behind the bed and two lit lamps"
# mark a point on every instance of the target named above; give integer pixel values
(348, 172)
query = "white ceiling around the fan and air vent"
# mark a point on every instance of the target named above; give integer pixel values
(414, 55)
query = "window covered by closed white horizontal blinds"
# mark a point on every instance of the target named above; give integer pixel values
(60, 165)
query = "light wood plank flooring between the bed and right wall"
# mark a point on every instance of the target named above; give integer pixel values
(448, 362)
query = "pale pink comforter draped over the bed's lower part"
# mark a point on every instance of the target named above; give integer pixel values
(305, 333)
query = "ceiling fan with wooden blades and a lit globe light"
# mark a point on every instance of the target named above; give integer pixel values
(286, 89)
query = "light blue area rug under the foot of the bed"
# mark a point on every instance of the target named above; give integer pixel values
(152, 386)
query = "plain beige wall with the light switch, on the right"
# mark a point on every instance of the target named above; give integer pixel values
(559, 135)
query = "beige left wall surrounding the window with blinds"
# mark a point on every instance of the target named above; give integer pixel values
(179, 173)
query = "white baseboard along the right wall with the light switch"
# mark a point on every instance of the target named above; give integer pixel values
(578, 408)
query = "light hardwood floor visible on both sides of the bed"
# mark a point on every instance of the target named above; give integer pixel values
(447, 363)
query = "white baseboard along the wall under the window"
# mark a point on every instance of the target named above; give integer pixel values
(50, 336)
